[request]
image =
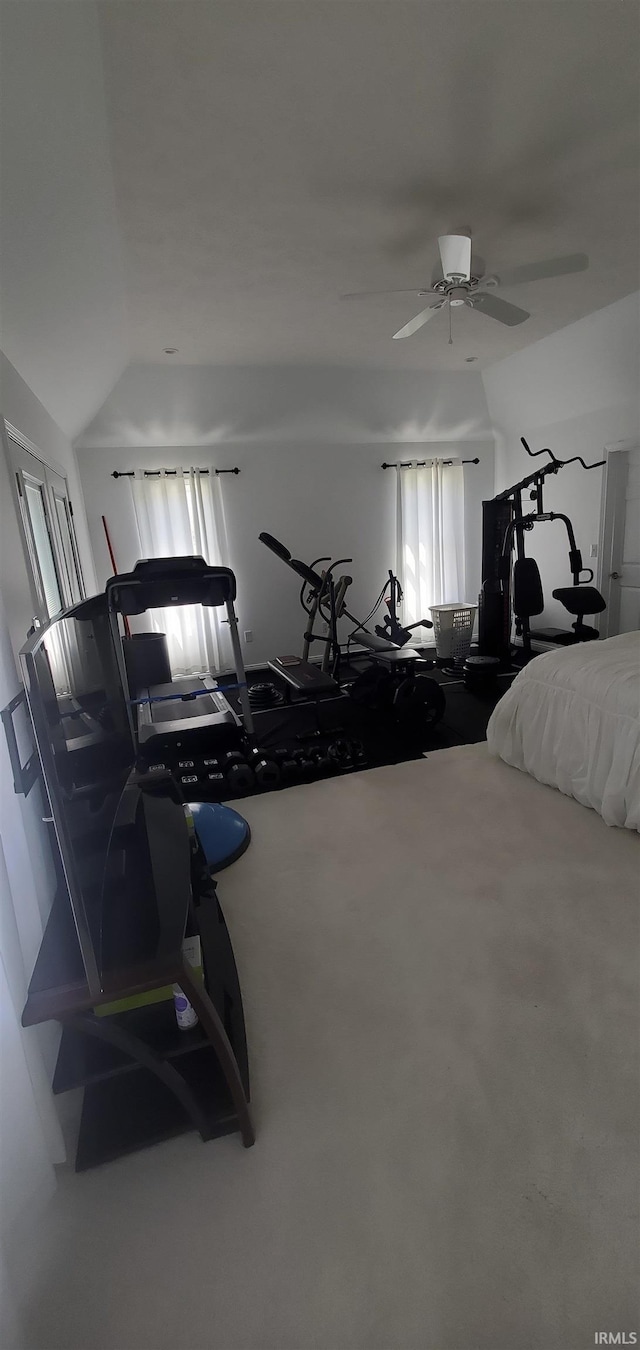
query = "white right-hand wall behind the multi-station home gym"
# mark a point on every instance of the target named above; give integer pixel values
(576, 392)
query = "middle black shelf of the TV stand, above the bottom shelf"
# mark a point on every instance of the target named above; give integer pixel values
(83, 1059)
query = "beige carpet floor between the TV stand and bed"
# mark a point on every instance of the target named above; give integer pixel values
(441, 971)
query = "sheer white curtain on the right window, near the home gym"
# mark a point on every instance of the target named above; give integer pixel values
(430, 537)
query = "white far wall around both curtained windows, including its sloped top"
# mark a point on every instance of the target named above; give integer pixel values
(310, 445)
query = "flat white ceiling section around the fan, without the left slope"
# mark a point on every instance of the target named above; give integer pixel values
(269, 157)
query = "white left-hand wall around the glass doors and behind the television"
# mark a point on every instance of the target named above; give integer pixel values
(32, 1135)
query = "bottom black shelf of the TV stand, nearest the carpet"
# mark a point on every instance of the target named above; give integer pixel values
(130, 1112)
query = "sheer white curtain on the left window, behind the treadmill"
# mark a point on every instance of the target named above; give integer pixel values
(179, 515)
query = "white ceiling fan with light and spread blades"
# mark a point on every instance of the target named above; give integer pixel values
(460, 287)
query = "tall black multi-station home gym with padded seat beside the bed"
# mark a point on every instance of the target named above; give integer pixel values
(515, 585)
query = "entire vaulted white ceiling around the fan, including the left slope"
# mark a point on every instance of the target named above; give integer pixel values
(213, 175)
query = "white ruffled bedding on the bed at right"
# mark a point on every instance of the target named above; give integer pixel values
(572, 719)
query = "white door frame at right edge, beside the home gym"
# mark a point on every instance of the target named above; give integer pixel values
(612, 526)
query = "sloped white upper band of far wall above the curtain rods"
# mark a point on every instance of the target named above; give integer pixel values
(206, 406)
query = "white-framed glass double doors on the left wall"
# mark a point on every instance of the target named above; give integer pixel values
(48, 531)
